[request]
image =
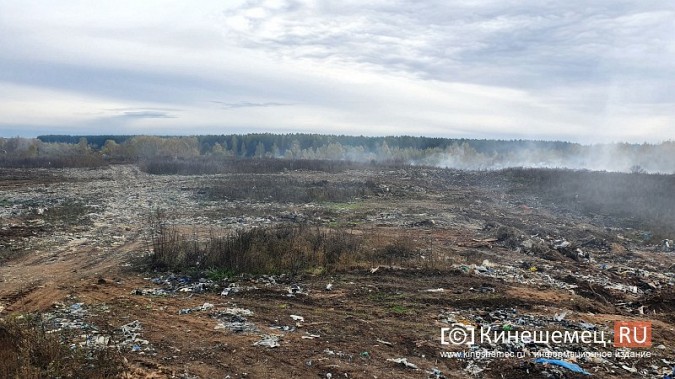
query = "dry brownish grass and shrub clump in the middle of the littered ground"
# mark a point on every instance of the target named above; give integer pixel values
(271, 250)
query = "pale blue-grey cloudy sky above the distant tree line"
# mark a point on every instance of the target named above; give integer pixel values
(582, 71)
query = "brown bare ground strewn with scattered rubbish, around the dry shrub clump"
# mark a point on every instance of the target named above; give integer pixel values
(74, 245)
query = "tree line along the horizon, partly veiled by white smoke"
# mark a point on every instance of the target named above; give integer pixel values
(472, 154)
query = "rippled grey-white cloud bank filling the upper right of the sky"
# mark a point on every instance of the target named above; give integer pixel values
(529, 44)
